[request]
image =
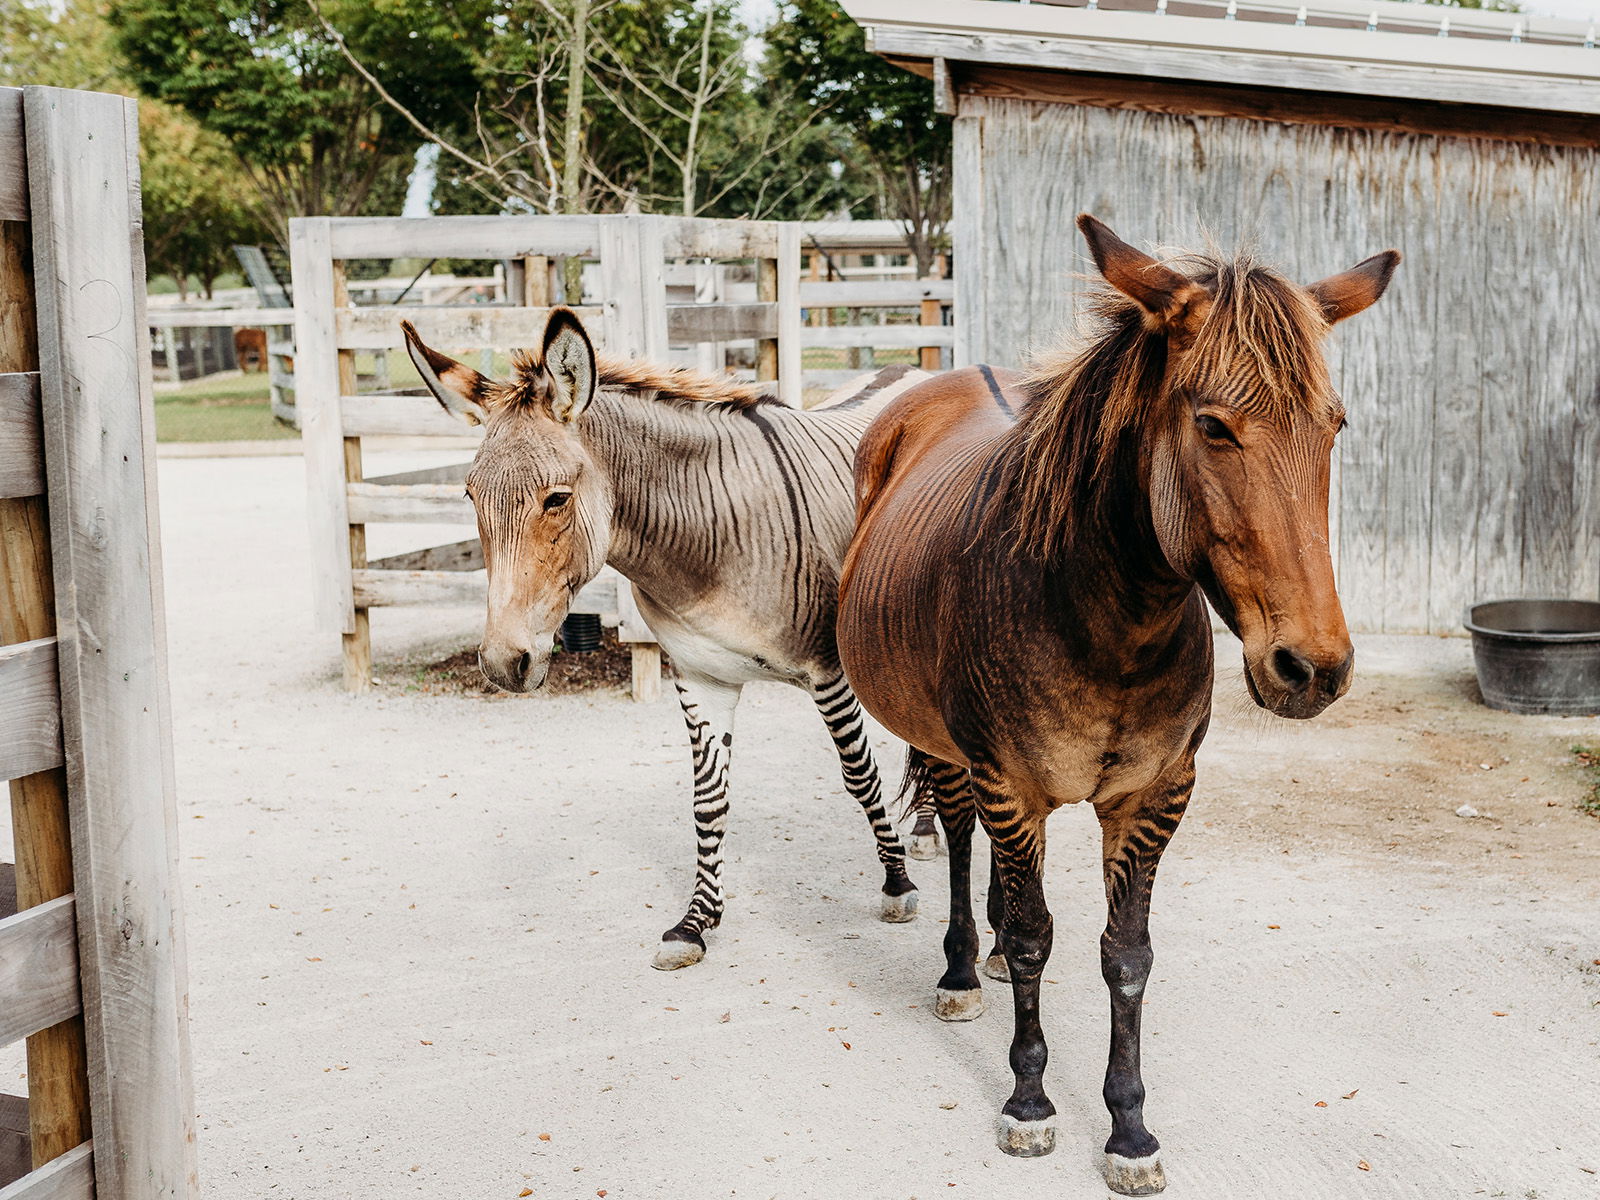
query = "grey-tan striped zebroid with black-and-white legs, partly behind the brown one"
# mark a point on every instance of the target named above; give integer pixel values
(730, 516)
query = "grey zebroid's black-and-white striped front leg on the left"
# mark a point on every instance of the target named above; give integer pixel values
(708, 711)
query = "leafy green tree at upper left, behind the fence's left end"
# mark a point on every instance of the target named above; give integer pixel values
(260, 76)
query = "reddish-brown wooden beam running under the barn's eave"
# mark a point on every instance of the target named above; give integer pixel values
(1276, 105)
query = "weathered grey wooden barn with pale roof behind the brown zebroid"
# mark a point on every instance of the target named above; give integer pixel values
(1471, 142)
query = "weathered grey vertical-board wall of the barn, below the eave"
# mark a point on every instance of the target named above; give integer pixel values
(1470, 466)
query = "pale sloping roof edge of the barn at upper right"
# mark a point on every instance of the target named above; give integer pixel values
(1383, 49)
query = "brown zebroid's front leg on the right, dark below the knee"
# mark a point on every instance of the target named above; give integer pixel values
(1134, 838)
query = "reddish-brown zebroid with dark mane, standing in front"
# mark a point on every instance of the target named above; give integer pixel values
(1025, 606)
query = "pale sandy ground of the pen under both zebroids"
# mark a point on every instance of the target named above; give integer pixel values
(420, 932)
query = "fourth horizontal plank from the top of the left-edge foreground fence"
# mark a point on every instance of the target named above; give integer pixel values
(39, 969)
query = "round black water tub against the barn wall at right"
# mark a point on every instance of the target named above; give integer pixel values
(1538, 655)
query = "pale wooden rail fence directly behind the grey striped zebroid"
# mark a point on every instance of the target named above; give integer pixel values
(630, 316)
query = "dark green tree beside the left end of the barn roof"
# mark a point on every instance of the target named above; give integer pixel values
(902, 142)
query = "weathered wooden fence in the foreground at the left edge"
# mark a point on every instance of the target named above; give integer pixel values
(92, 966)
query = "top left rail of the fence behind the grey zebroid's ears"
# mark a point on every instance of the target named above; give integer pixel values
(478, 238)
